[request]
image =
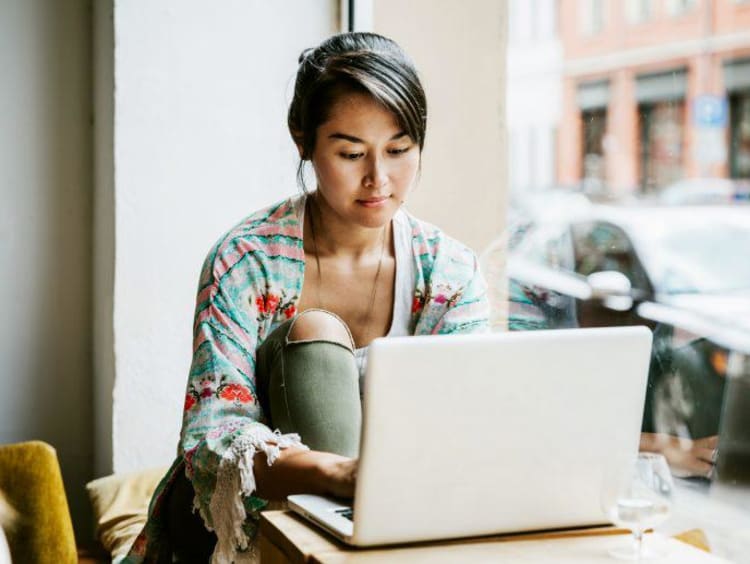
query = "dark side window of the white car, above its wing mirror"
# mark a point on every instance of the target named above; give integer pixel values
(601, 246)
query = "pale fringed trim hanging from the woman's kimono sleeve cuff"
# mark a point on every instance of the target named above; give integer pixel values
(235, 479)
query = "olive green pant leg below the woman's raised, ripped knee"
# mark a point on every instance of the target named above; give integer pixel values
(311, 388)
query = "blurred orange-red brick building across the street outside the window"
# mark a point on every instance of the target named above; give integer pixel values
(653, 91)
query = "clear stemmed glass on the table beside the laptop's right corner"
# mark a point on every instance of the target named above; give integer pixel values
(638, 498)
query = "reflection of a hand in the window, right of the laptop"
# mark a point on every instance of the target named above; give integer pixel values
(685, 457)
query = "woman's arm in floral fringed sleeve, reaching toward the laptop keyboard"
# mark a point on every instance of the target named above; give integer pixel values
(228, 449)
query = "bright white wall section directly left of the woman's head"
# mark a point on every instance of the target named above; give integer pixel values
(200, 141)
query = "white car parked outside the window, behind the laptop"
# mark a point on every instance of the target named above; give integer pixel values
(682, 271)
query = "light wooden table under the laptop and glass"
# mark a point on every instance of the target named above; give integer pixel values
(286, 538)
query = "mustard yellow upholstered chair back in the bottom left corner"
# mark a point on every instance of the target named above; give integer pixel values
(31, 480)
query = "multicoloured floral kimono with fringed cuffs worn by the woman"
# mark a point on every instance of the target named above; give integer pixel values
(250, 283)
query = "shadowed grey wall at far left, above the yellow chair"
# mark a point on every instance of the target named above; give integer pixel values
(45, 234)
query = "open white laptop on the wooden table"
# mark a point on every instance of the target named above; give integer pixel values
(472, 435)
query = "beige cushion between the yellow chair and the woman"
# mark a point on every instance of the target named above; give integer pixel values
(120, 503)
